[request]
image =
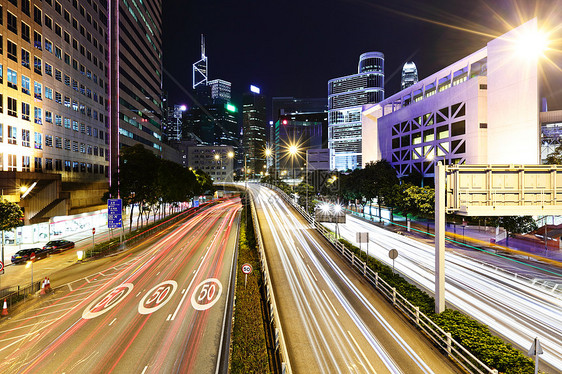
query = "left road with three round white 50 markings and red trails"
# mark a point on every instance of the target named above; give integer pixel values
(160, 309)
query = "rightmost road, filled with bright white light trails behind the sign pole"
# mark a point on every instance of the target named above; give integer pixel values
(515, 307)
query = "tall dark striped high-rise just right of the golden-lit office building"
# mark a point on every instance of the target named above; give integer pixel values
(135, 76)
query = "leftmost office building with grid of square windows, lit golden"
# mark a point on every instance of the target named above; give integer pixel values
(53, 113)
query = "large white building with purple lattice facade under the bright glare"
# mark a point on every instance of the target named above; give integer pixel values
(483, 109)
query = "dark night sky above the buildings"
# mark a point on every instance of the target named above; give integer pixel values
(292, 48)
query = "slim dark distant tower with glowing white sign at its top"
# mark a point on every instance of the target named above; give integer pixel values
(254, 131)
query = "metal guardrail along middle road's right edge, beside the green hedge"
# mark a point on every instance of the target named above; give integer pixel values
(441, 338)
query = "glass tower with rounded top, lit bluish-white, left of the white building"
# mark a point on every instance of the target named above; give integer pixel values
(346, 97)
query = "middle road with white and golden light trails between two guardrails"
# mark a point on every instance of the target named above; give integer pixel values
(332, 320)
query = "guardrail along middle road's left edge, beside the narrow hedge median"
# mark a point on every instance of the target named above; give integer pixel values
(280, 344)
